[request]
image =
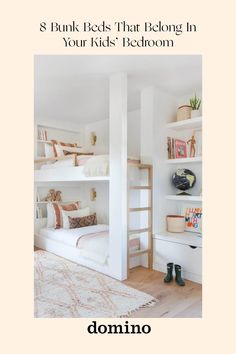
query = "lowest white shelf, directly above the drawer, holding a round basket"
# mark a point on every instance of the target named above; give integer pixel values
(187, 238)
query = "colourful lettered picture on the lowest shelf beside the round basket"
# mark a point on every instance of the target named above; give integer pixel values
(193, 218)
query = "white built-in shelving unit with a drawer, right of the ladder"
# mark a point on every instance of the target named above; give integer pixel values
(183, 248)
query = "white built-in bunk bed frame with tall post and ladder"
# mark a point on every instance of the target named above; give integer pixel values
(119, 228)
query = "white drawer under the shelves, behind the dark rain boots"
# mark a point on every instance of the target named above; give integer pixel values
(188, 257)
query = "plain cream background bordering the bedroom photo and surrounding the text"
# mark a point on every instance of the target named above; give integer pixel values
(21, 39)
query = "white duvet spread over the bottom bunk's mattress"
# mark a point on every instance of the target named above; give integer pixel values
(96, 250)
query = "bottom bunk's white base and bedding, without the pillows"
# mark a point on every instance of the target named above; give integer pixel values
(88, 246)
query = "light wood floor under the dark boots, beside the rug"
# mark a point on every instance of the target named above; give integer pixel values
(174, 300)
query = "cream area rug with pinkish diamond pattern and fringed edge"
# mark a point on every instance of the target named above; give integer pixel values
(66, 289)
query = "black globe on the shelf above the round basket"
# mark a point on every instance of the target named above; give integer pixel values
(183, 179)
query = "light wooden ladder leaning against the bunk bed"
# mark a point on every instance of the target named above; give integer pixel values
(148, 229)
